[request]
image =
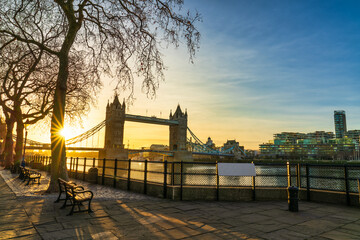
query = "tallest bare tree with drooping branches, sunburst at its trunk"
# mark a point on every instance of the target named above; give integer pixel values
(115, 37)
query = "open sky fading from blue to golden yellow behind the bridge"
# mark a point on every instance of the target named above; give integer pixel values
(263, 67)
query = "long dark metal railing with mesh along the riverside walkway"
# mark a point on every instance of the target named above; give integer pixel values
(308, 177)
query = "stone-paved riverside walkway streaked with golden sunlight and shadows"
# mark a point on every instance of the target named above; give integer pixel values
(37, 217)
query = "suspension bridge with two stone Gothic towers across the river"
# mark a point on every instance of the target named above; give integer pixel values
(180, 146)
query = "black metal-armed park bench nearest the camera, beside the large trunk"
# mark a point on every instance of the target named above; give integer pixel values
(76, 195)
